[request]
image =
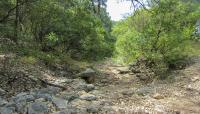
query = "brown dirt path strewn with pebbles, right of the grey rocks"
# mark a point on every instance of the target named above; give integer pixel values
(179, 95)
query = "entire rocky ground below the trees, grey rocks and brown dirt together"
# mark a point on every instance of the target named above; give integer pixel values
(110, 89)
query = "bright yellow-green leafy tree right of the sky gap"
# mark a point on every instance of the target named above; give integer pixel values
(160, 33)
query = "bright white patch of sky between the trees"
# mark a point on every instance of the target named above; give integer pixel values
(117, 9)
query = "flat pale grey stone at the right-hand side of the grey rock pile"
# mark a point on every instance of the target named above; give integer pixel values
(60, 103)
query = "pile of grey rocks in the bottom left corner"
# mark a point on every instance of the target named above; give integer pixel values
(52, 100)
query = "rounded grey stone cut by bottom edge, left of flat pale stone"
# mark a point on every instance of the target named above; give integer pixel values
(38, 108)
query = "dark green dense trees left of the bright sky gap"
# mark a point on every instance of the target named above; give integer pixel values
(77, 27)
